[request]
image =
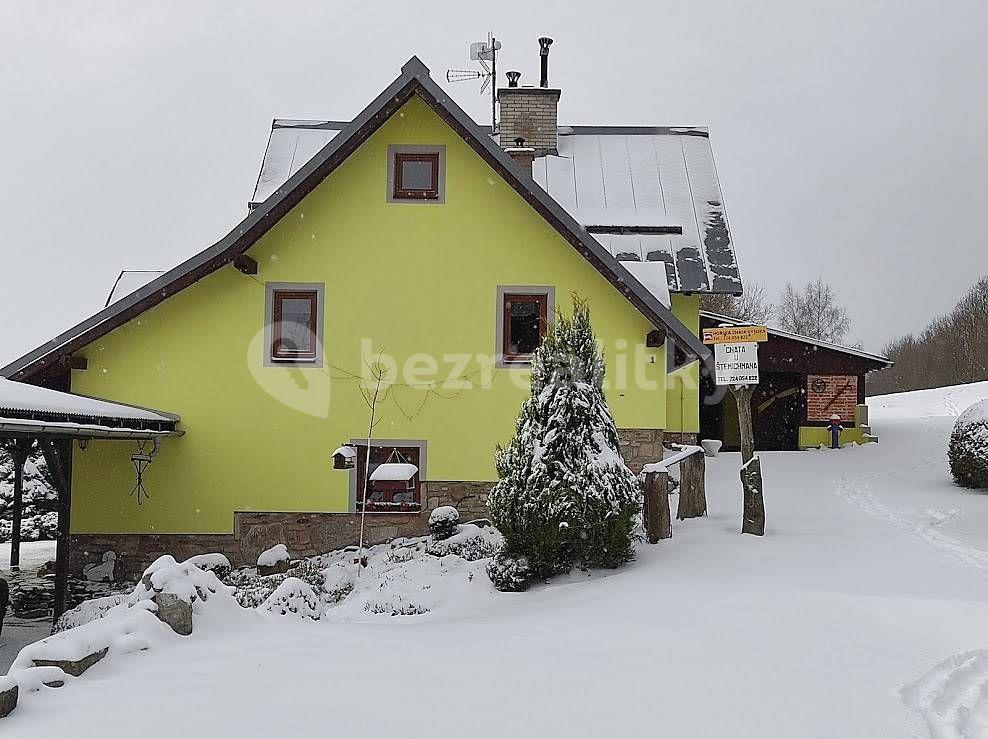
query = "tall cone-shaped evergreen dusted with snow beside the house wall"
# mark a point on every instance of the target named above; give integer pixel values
(565, 496)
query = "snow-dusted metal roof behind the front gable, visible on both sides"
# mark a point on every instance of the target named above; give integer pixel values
(624, 176)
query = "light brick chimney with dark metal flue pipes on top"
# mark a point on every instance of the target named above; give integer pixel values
(530, 113)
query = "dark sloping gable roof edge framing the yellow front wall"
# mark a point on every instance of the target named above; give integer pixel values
(413, 80)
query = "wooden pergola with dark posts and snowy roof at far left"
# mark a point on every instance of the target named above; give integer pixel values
(33, 416)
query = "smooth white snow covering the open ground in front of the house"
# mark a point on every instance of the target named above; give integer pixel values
(863, 612)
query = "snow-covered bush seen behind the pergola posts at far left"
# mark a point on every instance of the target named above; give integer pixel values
(39, 516)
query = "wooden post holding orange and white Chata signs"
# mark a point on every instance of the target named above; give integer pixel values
(736, 365)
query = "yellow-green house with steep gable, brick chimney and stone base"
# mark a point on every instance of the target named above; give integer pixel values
(405, 264)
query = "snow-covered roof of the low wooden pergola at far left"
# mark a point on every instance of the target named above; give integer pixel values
(18, 400)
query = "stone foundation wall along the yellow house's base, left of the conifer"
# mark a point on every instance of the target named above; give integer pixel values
(305, 534)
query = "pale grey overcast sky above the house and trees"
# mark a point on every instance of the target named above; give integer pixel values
(850, 137)
